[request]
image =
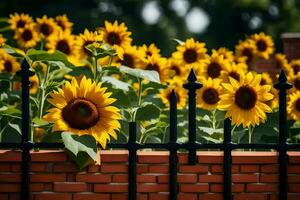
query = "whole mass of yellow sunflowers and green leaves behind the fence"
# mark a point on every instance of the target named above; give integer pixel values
(87, 87)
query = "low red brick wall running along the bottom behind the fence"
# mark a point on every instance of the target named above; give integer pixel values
(55, 177)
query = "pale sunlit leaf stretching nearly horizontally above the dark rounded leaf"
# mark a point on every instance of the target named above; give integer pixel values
(149, 75)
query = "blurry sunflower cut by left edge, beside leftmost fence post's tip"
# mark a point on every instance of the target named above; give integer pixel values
(8, 63)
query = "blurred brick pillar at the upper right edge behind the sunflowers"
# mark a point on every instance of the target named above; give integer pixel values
(291, 45)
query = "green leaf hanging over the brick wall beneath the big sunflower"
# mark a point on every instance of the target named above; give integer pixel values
(78, 144)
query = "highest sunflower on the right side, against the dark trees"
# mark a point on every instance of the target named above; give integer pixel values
(264, 45)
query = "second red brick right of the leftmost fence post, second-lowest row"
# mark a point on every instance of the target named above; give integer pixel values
(69, 187)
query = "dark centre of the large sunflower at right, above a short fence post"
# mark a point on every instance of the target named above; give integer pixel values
(245, 98)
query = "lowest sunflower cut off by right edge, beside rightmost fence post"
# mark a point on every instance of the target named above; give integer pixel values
(293, 106)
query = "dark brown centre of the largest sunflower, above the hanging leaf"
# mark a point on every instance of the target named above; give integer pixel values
(80, 114)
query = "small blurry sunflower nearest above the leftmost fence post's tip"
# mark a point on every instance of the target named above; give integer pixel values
(27, 37)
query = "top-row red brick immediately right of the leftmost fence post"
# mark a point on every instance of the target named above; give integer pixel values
(48, 156)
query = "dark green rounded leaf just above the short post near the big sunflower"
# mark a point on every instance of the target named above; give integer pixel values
(147, 111)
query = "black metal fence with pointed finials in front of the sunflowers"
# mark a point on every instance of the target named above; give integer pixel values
(172, 146)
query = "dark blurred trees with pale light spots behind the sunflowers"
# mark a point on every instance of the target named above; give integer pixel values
(229, 20)
